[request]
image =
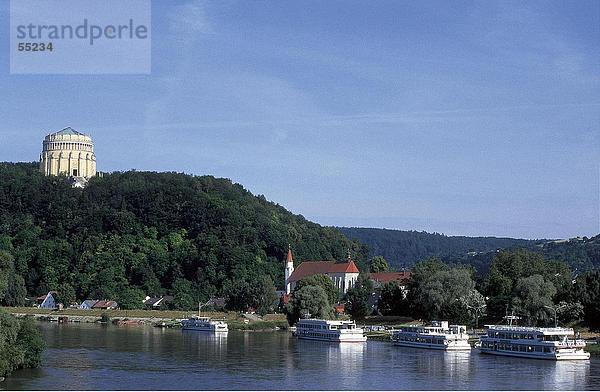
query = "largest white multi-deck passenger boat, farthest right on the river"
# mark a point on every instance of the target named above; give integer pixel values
(532, 342)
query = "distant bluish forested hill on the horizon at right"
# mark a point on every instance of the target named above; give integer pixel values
(404, 248)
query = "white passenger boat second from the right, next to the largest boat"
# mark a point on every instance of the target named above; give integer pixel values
(439, 335)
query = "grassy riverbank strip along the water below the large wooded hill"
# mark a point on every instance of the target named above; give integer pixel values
(236, 321)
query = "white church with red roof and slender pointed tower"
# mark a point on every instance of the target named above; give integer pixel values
(344, 275)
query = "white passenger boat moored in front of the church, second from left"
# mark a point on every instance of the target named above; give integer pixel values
(329, 330)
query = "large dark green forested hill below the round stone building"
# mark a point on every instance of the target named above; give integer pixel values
(131, 234)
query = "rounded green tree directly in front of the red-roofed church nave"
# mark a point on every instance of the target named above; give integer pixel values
(309, 301)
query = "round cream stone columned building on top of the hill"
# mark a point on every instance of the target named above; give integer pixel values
(68, 152)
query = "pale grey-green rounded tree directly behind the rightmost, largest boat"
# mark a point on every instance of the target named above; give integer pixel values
(533, 297)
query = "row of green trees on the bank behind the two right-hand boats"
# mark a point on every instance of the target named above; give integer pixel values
(519, 282)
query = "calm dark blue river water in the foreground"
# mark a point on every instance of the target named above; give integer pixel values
(90, 357)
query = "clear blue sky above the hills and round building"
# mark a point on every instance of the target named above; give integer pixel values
(474, 118)
